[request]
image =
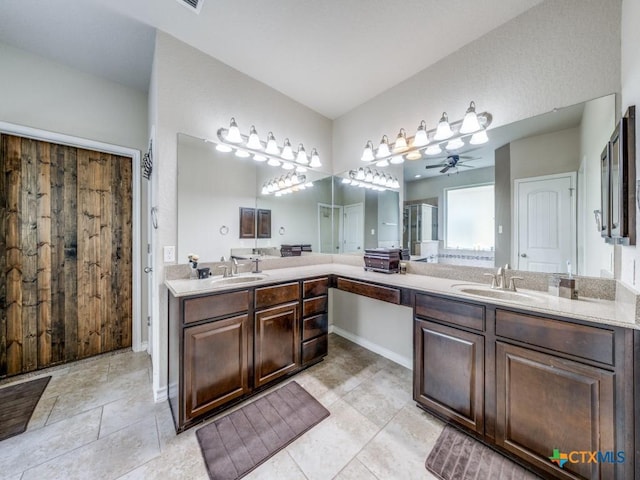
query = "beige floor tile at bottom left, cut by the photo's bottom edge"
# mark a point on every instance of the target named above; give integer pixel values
(107, 458)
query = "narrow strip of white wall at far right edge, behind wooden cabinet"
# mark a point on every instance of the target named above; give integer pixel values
(630, 73)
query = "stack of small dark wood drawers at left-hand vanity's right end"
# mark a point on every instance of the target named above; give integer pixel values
(315, 319)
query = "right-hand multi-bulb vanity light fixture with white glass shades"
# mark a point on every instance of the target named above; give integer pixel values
(446, 136)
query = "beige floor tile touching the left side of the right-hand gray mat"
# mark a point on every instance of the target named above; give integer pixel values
(401, 448)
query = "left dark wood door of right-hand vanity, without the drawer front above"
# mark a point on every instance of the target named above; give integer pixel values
(449, 373)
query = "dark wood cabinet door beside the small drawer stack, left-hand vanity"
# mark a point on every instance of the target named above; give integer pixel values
(277, 342)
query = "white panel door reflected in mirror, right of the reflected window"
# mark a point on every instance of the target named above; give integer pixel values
(545, 219)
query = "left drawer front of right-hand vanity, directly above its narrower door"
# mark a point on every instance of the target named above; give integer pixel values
(450, 311)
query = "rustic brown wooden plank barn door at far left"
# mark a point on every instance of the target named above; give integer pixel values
(65, 253)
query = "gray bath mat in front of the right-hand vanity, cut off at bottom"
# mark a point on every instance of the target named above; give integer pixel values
(457, 456)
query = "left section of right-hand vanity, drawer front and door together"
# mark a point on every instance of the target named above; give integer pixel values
(449, 360)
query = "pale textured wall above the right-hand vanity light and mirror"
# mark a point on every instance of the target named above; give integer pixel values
(555, 54)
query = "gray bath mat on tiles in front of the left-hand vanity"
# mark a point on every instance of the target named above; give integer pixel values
(237, 443)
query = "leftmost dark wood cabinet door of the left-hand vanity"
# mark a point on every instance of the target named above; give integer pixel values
(216, 364)
